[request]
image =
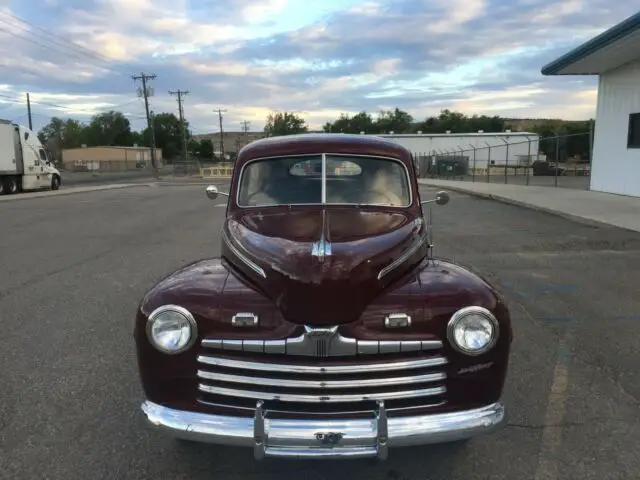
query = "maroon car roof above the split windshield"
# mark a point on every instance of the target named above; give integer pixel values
(317, 143)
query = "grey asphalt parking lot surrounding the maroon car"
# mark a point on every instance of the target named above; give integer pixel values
(74, 267)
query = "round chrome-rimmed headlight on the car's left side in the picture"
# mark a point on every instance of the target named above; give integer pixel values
(171, 329)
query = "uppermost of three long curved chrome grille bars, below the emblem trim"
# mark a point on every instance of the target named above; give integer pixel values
(325, 369)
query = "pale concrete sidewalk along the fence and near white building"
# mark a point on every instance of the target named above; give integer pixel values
(578, 205)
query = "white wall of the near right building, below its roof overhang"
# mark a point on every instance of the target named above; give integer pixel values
(615, 168)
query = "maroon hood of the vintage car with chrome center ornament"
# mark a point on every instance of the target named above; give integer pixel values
(331, 290)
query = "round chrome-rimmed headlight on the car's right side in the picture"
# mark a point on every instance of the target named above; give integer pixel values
(473, 330)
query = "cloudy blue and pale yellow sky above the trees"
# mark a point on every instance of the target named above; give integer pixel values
(250, 57)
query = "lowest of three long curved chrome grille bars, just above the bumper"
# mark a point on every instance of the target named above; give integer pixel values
(290, 397)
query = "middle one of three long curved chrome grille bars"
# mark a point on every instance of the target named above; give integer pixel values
(315, 384)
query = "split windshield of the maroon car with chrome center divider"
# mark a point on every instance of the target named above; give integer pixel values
(348, 180)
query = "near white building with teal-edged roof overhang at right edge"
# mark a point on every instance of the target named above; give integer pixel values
(615, 57)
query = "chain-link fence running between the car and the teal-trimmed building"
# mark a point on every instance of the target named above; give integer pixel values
(560, 161)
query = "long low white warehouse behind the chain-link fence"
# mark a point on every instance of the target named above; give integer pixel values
(505, 148)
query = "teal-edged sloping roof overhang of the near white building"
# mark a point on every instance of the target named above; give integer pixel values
(612, 48)
